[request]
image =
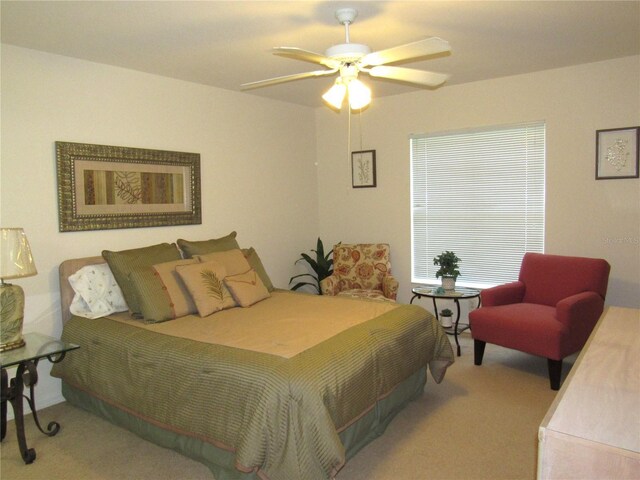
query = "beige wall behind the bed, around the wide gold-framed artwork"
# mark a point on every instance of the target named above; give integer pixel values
(256, 156)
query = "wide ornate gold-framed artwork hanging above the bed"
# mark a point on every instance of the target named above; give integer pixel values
(105, 187)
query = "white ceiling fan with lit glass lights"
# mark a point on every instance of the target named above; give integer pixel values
(350, 59)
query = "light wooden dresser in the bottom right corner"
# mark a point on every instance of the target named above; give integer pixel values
(592, 429)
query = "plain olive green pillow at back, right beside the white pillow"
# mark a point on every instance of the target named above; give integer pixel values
(122, 263)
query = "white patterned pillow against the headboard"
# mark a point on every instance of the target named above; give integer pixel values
(97, 292)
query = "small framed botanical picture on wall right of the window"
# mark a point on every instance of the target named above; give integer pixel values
(617, 153)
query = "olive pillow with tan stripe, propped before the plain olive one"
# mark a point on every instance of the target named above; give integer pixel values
(160, 292)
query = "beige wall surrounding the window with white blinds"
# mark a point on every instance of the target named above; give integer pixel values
(584, 217)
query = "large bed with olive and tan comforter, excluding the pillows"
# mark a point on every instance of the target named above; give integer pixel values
(271, 391)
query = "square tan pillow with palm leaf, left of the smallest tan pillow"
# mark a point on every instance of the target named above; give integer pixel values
(205, 283)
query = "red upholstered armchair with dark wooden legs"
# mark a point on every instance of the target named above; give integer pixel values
(550, 311)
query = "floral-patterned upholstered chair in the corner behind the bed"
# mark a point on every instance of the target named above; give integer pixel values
(361, 270)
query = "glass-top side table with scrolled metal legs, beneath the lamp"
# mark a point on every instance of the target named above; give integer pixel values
(26, 358)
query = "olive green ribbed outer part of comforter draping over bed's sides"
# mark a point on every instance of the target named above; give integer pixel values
(280, 416)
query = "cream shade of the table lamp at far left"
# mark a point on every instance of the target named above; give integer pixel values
(16, 260)
